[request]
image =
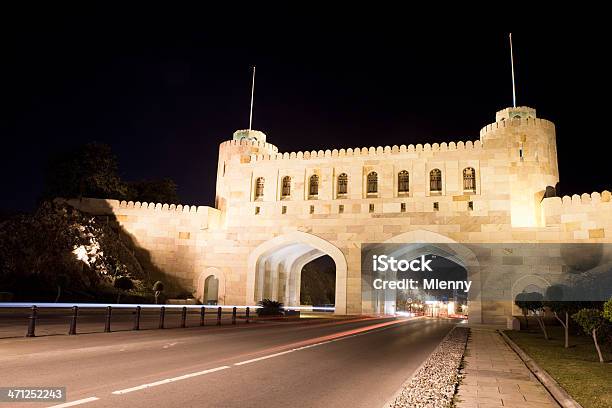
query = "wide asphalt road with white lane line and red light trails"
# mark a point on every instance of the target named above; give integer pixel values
(357, 363)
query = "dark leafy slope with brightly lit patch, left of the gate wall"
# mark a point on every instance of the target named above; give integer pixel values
(36, 249)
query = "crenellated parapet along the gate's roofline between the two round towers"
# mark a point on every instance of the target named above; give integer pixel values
(371, 151)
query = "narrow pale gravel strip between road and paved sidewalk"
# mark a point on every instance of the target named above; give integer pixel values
(434, 384)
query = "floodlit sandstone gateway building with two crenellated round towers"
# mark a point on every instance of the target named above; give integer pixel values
(276, 212)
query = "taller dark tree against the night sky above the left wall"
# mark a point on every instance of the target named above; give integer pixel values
(91, 170)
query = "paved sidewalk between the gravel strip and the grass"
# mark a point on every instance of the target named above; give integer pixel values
(496, 377)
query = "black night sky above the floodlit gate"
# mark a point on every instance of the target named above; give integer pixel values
(165, 91)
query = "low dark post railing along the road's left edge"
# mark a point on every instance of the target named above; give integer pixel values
(137, 312)
